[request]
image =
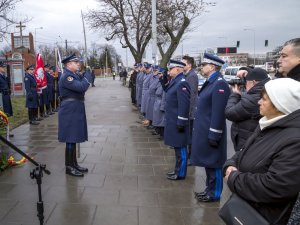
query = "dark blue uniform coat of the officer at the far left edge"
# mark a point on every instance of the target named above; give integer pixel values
(4, 89)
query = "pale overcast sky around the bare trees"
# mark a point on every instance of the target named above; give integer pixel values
(224, 24)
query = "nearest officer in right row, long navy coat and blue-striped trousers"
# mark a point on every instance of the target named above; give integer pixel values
(209, 139)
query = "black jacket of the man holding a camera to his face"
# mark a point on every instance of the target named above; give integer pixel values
(243, 111)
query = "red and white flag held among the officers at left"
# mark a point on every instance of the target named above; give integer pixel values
(39, 73)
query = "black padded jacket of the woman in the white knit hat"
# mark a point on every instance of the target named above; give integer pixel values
(268, 169)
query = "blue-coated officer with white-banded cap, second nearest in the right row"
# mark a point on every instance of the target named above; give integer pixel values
(176, 133)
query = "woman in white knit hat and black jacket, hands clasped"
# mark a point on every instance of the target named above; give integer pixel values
(265, 172)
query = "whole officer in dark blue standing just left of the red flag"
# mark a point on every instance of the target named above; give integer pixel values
(32, 99)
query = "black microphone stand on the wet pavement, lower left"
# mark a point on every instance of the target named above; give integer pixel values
(36, 173)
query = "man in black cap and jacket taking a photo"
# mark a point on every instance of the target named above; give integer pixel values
(242, 108)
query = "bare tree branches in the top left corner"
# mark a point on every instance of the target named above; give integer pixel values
(6, 6)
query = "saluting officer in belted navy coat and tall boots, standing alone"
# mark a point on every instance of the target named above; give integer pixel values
(72, 124)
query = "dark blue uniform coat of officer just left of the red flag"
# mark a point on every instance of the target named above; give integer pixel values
(32, 100)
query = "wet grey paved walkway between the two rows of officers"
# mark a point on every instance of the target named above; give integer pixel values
(126, 184)
